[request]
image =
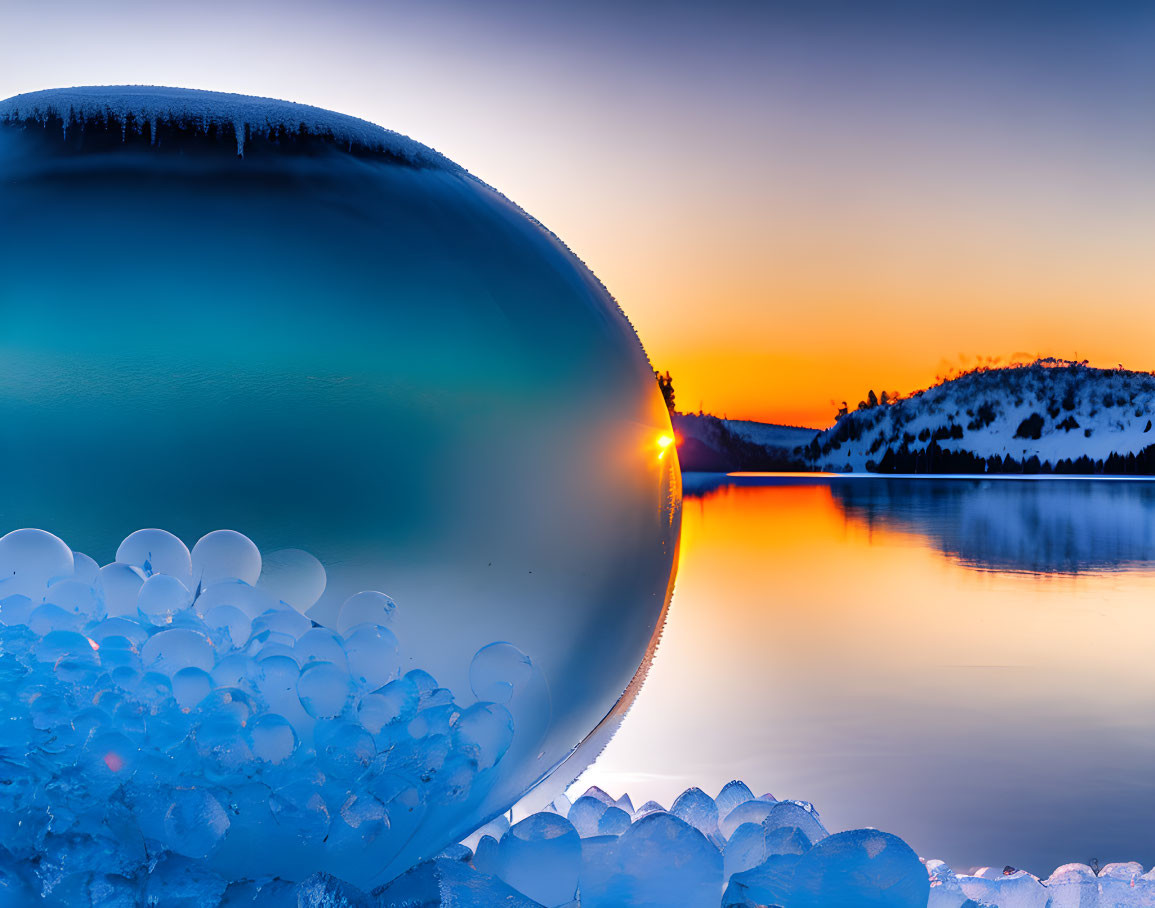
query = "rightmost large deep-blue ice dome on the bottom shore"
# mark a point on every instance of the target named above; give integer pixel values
(866, 868)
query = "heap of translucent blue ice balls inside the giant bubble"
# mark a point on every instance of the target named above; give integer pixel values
(173, 721)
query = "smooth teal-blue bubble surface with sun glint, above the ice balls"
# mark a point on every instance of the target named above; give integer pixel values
(384, 364)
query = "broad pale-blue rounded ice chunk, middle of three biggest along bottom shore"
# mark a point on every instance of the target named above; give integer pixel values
(660, 861)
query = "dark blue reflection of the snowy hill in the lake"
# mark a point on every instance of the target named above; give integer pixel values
(1037, 526)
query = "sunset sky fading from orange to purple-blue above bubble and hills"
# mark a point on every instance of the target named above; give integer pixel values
(793, 202)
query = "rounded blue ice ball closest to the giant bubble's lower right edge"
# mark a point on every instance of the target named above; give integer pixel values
(541, 858)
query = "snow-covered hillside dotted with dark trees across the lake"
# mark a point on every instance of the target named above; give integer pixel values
(1049, 416)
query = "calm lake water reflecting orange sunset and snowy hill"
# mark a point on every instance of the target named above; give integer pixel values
(968, 664)
